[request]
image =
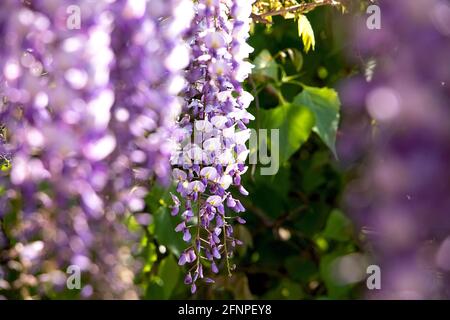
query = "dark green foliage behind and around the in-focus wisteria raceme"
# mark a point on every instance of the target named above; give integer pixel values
(297, 236)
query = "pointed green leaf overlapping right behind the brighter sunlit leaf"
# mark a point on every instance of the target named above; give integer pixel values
(325, 104)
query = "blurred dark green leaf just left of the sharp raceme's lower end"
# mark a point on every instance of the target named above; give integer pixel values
(164, 231)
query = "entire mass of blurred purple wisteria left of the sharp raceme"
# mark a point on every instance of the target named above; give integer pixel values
(87, 113)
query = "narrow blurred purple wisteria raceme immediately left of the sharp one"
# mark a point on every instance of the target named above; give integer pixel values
(150, 57)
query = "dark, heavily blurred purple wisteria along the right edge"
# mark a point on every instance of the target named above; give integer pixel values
(401, 196)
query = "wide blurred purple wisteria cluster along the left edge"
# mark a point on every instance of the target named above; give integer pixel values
(56, 111)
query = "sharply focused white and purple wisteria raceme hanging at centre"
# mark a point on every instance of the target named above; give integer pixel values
(211, 136)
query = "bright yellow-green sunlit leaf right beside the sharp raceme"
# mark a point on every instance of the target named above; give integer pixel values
(295, 123)
